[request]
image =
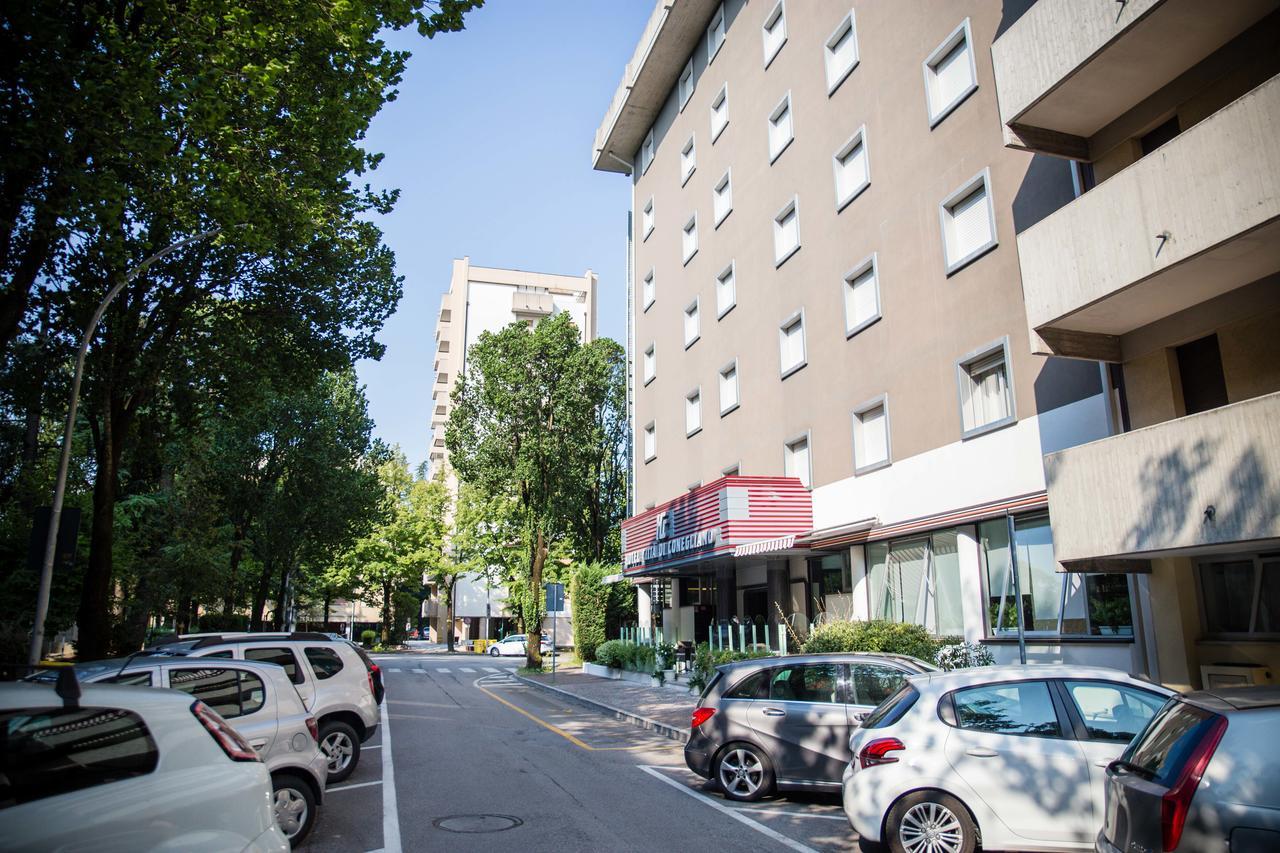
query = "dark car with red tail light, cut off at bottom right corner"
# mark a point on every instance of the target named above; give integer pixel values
(1203, 777)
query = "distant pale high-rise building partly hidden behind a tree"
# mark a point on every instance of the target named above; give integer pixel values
(479, 300)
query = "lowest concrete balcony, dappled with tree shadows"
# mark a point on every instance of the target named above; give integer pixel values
(1186, 485)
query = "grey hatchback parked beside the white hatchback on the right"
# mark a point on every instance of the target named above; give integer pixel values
(784, 723)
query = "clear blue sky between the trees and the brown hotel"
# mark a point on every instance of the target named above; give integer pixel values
(491, 145)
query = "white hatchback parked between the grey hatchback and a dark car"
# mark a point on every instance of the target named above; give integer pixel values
(1009, 758)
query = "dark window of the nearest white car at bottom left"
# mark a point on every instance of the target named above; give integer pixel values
(45, 752)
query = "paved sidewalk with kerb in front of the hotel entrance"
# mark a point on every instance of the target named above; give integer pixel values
(665, 710)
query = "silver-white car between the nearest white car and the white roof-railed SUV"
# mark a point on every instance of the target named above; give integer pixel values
(260, 703)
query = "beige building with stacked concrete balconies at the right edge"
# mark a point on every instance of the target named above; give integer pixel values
(1167, 270)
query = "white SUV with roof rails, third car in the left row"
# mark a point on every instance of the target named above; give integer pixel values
(333, 681)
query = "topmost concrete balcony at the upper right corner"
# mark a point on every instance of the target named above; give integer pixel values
(1068, 69)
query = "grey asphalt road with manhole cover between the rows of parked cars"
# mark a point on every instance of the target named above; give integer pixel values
(479, 761)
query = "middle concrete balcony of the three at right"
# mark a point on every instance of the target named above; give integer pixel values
(1192, 221)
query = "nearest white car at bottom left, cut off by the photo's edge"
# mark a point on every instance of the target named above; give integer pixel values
(129, 770)
